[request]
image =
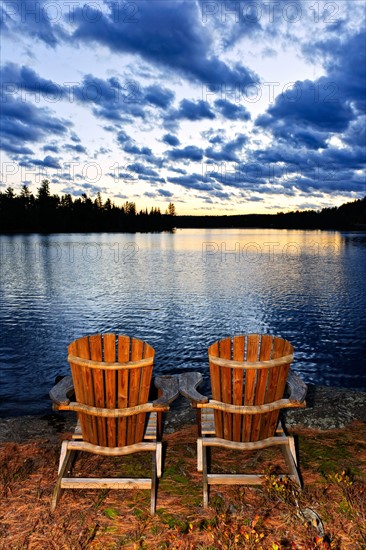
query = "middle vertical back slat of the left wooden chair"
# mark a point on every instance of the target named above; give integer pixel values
(109, 342)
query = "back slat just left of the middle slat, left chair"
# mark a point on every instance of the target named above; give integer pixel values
(96, 354)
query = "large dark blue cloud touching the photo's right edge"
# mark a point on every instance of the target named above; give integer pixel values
(327, 105)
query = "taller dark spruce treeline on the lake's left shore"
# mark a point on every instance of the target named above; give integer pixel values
(46, 213)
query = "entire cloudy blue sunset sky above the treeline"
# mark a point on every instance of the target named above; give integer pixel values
(221, 107)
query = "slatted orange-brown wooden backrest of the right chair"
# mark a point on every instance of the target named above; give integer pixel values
(239, 377)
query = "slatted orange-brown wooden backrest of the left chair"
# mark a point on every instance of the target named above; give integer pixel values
(112, 372)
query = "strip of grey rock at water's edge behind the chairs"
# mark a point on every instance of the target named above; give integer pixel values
(327, 408)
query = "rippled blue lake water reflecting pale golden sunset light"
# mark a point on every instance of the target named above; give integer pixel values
(180, 292)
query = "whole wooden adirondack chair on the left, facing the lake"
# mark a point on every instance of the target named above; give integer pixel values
(111, 377)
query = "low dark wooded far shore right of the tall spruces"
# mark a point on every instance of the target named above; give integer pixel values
(351, 215)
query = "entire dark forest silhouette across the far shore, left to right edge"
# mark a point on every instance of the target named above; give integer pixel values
(46, 213)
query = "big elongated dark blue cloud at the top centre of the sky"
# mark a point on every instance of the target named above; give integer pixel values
(168, 34)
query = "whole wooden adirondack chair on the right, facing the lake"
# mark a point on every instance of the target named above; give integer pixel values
(248, 375)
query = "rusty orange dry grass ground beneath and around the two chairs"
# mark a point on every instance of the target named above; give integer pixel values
(274, 516)
